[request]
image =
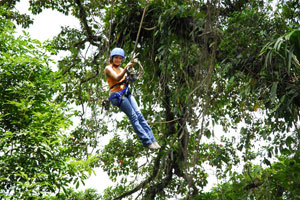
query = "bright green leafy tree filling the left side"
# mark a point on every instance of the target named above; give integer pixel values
(34, 159)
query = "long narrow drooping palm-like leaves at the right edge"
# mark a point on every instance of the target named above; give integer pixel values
(283, 77)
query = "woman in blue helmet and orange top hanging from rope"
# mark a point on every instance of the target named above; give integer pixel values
(121, 97)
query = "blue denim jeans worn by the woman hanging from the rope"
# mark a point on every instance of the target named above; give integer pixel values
(138, 122)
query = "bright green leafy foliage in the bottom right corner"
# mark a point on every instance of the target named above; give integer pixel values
(280, 181)
